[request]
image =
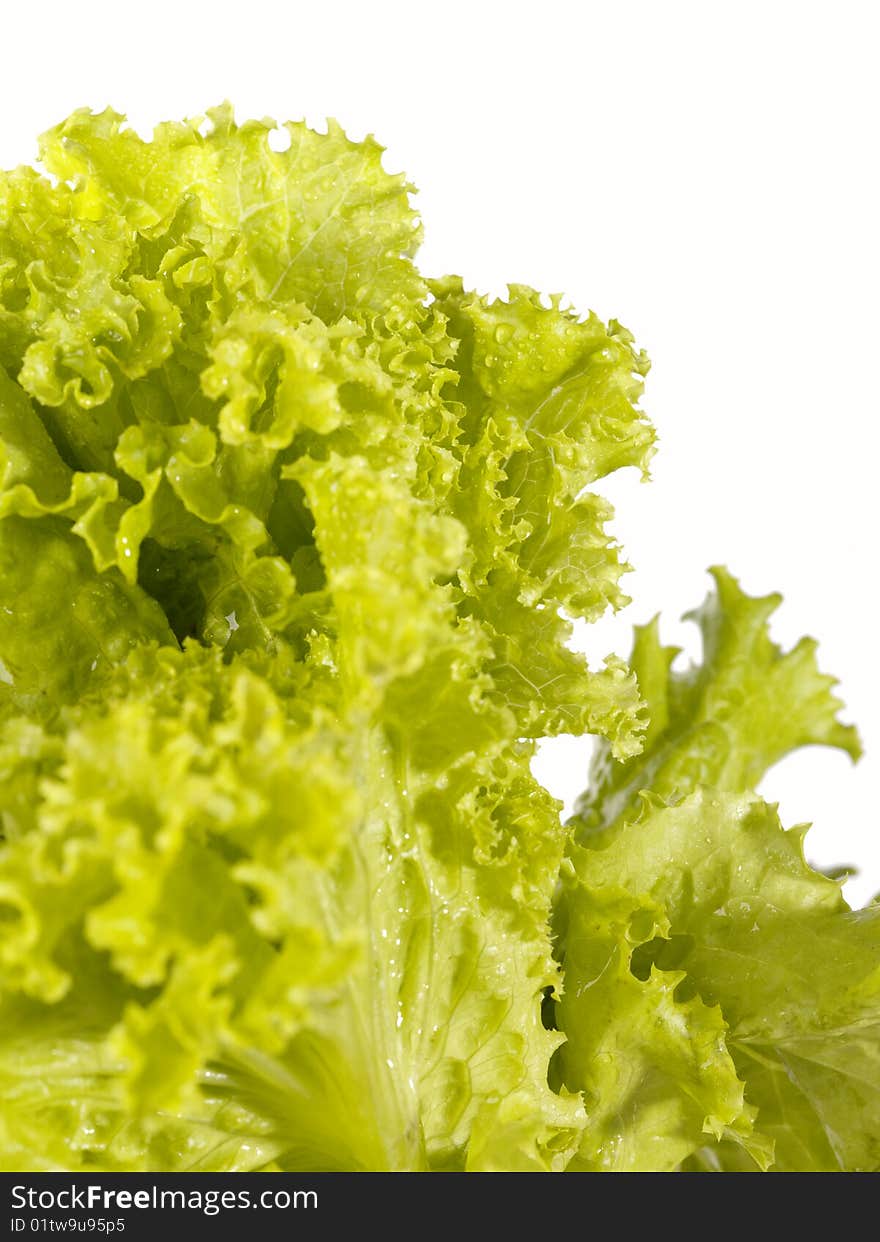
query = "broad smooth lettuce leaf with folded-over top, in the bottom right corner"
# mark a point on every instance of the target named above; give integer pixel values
(753, 930)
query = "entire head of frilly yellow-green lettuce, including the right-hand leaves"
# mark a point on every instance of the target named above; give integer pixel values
(291, 547)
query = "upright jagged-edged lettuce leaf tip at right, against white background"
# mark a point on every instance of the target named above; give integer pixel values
(724, 722)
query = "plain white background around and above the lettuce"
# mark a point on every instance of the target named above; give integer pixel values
(706, 172)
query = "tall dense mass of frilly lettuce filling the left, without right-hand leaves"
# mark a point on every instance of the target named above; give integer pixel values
(282, 618)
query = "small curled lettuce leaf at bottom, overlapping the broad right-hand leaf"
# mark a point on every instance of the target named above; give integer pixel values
(655, 1070)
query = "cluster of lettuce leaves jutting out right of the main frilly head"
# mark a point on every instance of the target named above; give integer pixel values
(717, 910)
